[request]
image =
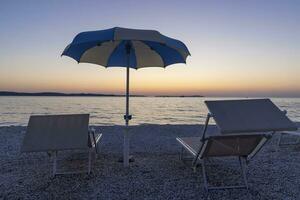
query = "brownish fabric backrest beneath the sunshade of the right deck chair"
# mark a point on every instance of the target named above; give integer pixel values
(233, 145)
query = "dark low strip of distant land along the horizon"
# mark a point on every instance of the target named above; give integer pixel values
(58, 94)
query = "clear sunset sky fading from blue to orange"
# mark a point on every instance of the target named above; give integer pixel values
(239, 48)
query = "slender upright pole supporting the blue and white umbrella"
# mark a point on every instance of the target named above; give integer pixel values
(127, 116)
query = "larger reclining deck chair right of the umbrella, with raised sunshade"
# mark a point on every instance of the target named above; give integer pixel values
(244, 125)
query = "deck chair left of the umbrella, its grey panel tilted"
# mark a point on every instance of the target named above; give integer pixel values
(53, 133)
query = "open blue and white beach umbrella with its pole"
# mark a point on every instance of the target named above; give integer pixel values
(129, 48)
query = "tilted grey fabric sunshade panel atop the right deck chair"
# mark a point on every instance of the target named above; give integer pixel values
(249, 115)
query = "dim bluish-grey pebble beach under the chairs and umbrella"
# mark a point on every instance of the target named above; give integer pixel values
(156, 173)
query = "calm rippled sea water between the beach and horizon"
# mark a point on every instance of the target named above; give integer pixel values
(110, 110)
